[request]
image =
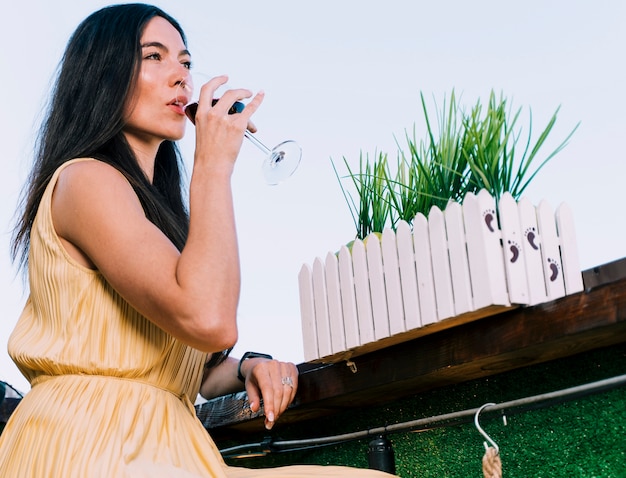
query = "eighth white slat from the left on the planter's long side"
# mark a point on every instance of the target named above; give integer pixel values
(408, 276)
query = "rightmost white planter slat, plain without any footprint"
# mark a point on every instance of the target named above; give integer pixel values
(572, 273)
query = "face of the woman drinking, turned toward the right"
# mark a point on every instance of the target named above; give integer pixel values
(154, 113)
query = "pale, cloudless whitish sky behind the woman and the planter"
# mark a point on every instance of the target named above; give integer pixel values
(343, 77)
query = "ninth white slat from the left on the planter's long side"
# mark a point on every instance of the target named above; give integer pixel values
(424, 270)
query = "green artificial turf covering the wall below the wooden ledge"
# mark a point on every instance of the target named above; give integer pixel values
(585, 437)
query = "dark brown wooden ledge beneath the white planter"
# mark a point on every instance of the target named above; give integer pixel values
(498, 343)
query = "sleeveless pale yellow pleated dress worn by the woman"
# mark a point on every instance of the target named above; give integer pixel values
(111, 393)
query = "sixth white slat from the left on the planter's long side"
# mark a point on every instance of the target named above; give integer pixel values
(377, 286)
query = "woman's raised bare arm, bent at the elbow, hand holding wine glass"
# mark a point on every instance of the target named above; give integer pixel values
(192, 294)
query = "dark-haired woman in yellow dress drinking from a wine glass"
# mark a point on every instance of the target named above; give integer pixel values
(132, 306)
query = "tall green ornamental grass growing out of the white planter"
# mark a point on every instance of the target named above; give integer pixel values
(466, 152)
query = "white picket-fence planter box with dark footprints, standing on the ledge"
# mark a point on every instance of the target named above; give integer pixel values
(455, 266)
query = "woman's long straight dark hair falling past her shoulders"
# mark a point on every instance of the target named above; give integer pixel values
(85, 118)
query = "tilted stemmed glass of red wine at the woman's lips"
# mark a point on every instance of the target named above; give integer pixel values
(280, 162)
